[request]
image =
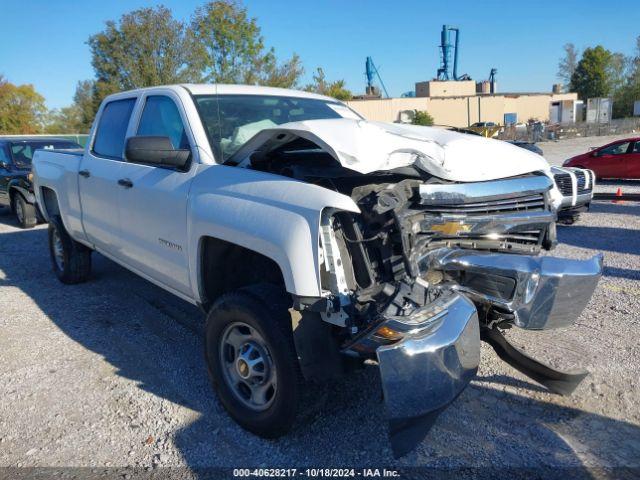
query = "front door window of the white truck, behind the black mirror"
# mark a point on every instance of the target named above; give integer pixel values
(161, 117)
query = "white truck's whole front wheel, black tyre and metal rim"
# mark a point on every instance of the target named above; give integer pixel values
(251, 359)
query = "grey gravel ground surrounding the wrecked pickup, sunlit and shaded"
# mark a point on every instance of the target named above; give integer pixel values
(111, 373)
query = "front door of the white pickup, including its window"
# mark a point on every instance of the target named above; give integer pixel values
(152, 200)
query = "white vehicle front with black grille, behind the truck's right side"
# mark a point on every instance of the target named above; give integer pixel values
(576, 186)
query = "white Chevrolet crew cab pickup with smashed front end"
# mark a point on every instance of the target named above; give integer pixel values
(316, 240)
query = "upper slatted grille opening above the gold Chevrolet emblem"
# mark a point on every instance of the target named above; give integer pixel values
(526, 203)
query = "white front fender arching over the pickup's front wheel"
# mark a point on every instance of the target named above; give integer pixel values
(272, 215)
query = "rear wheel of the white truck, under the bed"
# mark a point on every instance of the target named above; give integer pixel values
(71, 260)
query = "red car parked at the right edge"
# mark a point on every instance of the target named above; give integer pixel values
(619, 159)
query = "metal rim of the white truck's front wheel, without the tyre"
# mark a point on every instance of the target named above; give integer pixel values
(247, 366)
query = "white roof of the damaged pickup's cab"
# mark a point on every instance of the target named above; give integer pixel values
(227, 89)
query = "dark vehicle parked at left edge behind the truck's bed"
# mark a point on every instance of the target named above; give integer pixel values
(16, 190)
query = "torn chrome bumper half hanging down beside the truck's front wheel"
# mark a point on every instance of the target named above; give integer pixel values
(427, 370)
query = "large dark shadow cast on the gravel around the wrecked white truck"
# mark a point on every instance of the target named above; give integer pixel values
(154, 339)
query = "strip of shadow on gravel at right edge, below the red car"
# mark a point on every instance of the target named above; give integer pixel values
(608, 239)
